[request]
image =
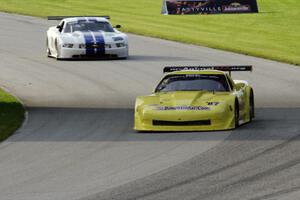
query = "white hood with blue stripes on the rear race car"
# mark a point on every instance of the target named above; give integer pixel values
(79, 37)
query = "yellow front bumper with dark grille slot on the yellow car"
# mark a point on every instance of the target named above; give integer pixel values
(212, 120)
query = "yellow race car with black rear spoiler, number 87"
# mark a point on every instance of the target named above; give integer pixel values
(196, 99)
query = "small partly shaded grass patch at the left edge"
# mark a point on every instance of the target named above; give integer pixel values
(11, 115)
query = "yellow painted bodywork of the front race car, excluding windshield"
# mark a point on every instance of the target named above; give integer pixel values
(220, 113)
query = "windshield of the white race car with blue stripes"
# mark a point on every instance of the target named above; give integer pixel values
(85, 26)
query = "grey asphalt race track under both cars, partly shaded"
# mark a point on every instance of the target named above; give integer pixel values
(78, 142)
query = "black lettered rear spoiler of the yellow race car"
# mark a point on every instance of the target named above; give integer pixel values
(234, 68)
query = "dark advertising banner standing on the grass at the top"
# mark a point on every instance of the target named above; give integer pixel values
(178, 7)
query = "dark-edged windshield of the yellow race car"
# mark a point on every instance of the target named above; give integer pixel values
(193, 82)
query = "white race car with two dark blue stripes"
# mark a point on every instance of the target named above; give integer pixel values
(91, 37)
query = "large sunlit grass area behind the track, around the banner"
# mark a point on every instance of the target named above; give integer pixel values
(274, 33)
